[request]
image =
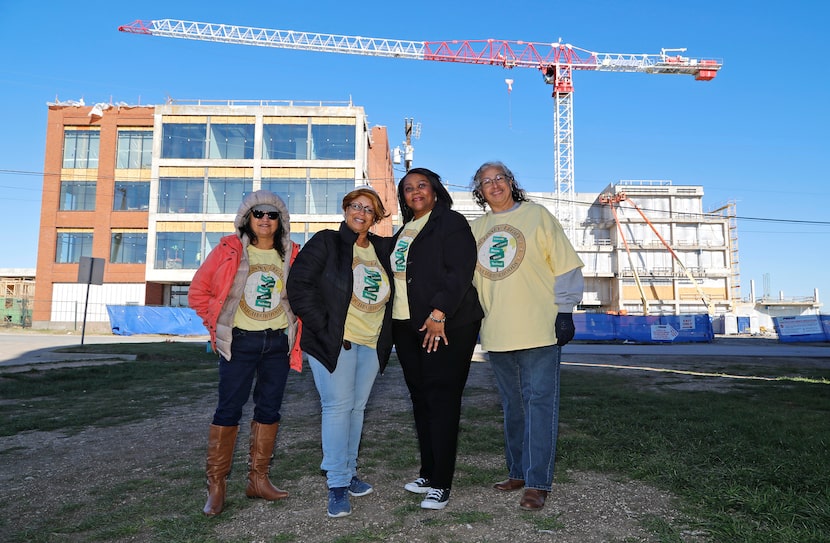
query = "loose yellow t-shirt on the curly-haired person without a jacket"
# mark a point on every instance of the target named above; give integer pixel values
(520, 253)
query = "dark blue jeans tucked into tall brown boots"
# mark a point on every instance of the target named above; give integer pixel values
(260, 354)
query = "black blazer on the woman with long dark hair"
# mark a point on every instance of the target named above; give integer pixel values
(439, 270)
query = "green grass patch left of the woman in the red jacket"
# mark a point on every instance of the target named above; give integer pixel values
(71, 399)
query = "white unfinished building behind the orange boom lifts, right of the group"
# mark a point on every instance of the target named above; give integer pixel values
(649, 248)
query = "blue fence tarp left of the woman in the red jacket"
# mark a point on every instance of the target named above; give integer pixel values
(128, 320)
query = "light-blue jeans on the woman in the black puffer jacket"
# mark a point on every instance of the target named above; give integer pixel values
(343, 397)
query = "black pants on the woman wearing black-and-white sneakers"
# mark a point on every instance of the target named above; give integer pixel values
(436, 382)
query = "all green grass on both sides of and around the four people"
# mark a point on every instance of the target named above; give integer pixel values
(748, 465)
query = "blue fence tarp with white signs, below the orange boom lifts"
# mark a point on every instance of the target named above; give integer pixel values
(639, 329)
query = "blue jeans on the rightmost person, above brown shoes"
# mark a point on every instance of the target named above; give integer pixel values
(528, 382)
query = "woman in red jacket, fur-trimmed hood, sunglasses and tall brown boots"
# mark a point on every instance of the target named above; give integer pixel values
(239, 292)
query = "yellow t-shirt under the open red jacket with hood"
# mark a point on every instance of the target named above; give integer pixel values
(259, 308)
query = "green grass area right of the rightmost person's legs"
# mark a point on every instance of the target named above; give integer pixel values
(750, 465)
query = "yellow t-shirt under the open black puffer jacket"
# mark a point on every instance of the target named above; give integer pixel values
(370, 294)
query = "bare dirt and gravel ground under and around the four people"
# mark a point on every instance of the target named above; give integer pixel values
(40, 470)
